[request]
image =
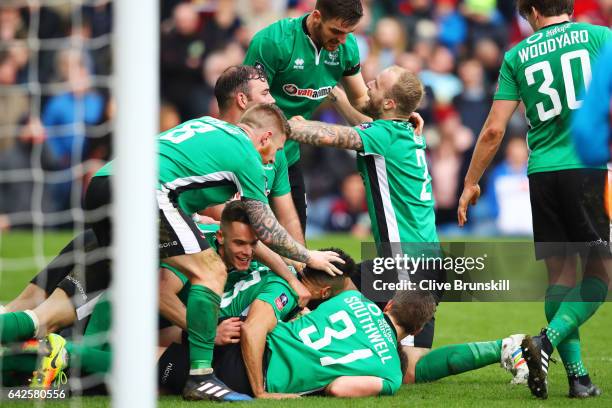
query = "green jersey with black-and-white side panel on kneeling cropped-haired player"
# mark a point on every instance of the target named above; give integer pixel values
(398, 185)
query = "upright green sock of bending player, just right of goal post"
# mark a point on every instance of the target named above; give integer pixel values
(202, 315)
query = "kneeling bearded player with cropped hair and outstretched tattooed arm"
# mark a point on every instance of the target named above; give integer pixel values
(391, 160)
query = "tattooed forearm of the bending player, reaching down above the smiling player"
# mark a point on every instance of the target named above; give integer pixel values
(271, 233)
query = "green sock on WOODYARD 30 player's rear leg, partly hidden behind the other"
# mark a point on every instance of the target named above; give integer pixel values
(569, 348)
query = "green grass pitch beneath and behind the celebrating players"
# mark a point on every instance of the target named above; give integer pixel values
(455, 323)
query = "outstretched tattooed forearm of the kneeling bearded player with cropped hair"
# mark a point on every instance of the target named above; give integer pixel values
(323, 134)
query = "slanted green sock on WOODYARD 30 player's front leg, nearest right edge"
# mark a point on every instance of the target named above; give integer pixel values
(578, 306)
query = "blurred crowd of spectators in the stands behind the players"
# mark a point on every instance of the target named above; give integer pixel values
(56, 109)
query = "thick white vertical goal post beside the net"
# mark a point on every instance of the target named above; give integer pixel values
(135, 271)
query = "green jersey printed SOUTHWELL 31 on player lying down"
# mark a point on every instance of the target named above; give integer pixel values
(345, 336)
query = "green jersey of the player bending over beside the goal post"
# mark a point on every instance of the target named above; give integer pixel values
(206, 161)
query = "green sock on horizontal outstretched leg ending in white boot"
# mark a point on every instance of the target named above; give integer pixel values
(457, 359)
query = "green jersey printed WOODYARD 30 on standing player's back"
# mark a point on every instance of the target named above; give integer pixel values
(548, 72)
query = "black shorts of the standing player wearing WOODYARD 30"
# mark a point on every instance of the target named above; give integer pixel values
(568, 209)
